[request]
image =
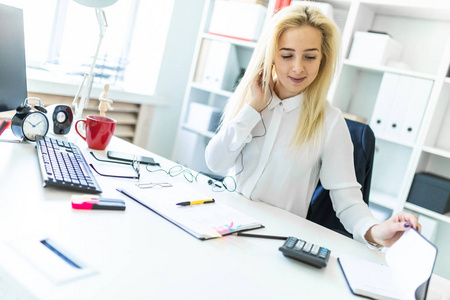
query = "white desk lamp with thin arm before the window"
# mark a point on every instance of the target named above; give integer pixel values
(82, 96)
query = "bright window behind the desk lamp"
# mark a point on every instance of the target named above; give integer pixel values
(61, 38)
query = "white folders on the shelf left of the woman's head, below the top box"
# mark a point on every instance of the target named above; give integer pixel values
(221, 67)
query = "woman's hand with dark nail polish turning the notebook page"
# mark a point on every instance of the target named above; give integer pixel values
(388, 232)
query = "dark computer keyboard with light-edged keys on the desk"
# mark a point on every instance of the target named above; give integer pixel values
(63, 165)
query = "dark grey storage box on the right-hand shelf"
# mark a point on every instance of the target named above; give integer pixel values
(430, 191)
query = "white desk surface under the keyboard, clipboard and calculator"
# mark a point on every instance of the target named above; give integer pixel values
(140, 255)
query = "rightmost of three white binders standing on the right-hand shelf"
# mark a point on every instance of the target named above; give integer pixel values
(417, 104)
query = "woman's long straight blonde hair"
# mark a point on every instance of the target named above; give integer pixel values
(312, 116)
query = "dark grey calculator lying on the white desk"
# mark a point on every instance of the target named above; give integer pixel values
(306, 252)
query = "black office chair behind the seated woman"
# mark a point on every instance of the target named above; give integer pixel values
(321, 209)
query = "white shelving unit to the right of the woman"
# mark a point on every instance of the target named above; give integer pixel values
(423, 28)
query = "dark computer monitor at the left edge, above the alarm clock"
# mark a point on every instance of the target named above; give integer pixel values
(13, 79)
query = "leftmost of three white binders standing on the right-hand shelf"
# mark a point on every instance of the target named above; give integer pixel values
(384, 102)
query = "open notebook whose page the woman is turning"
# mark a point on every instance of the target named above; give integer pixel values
(406, 274)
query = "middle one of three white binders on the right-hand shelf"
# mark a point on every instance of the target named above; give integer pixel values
(400, 103)
